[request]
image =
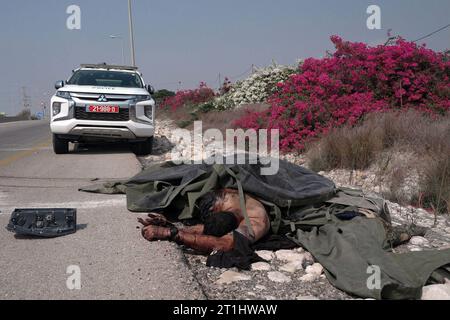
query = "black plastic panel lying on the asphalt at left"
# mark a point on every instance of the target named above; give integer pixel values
(46, 223)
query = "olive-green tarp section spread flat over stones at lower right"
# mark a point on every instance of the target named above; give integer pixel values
(355, 256)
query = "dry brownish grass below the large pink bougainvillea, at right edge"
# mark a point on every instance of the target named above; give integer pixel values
(362, 146)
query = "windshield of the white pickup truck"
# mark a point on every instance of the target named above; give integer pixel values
(106, 79)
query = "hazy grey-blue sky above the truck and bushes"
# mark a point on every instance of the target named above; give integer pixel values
(180, 43)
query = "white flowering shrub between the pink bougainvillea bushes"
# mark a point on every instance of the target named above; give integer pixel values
(256, 88)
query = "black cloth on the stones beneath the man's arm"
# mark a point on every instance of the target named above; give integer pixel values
(241, 257)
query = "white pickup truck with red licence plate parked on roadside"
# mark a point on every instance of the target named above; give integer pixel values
(103, 103)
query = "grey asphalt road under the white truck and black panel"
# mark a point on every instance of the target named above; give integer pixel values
(114, 261)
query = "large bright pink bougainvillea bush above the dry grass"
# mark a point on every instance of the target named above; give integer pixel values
(354, 81)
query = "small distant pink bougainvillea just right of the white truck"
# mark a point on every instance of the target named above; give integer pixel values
(189, 97)
